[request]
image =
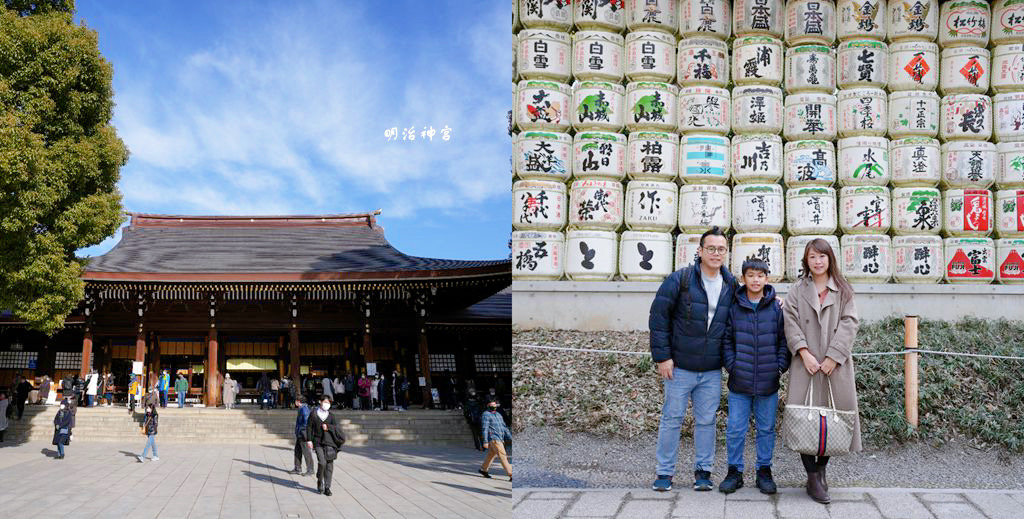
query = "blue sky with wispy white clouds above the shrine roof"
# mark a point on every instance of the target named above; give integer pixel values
(281, 108)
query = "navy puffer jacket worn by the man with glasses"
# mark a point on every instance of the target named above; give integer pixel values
(679, 321)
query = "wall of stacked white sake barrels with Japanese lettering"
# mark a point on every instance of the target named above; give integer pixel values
(644, 123)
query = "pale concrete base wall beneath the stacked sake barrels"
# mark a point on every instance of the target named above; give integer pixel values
(625, 307)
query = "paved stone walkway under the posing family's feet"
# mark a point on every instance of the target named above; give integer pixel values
(749, 503)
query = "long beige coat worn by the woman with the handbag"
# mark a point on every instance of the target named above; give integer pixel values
(827, 331)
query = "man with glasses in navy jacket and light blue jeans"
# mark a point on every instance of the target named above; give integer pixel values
(688, 329)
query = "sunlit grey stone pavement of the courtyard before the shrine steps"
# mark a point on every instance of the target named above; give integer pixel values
(245, 482)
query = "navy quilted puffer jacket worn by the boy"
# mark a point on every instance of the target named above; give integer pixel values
(756, 352)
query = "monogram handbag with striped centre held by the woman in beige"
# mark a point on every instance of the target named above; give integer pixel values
(817, 430)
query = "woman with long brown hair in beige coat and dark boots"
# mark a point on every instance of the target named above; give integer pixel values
(821, 326)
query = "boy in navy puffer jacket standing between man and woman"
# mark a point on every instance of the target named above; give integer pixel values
(756, 355)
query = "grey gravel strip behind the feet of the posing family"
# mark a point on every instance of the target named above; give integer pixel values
(548, 457)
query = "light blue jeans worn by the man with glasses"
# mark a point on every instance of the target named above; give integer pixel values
(705, 388)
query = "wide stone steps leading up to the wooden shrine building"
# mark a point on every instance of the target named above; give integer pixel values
(201, 425)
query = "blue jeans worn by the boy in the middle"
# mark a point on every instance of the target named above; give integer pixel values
(764, 409)
